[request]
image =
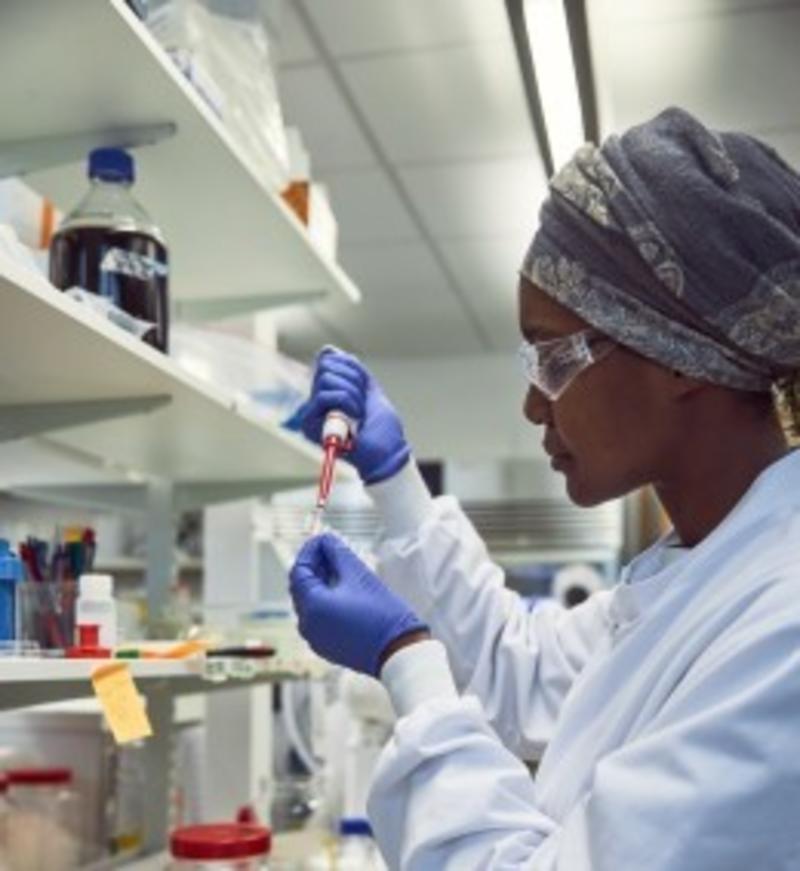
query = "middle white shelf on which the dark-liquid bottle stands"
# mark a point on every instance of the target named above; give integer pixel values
(52, 352)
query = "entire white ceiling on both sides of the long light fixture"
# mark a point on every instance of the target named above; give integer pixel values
(414, 114)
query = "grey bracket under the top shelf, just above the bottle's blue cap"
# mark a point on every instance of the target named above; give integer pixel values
(23, 156)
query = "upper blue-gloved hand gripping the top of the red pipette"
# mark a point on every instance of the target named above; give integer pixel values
(343, 383)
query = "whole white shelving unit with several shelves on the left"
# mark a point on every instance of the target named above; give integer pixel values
(90, 415)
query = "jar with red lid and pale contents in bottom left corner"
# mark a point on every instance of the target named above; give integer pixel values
(43, 831)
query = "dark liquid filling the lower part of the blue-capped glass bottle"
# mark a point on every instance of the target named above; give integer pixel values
(126, 267)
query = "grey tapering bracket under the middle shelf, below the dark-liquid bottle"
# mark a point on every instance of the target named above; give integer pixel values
(35, 418)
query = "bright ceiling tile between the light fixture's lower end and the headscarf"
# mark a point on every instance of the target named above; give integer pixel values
(488, 198)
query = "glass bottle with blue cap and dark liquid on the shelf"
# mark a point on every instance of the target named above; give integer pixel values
(109, 245)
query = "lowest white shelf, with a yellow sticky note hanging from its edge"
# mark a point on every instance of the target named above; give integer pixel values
(25, 682)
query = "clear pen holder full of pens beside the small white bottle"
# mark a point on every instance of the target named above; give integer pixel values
(46, 612)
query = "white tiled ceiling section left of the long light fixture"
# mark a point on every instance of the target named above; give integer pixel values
(415, 118)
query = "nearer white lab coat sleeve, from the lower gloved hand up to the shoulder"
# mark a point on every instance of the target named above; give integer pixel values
(710, 783)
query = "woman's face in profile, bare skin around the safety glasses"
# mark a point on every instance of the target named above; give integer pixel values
(612, 430)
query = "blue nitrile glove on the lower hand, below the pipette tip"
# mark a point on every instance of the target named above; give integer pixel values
(345, 612)
